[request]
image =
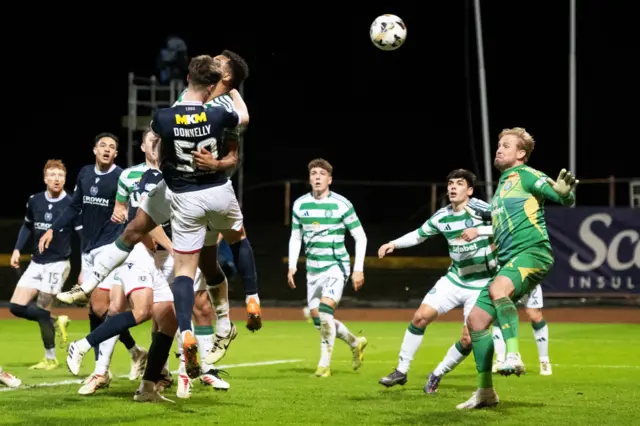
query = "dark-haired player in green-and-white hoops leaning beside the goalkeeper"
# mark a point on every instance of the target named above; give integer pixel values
(472, 267)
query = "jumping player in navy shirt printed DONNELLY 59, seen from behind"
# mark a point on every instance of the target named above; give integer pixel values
(197, 197)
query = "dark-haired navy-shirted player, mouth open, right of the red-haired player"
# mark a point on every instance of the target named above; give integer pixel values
(94, 196)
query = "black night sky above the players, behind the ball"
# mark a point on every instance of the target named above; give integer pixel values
(318, 87)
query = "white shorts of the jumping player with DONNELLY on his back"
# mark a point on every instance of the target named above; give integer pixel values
(192, 212)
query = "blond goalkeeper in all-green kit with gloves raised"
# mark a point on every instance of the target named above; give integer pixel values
(524, 255)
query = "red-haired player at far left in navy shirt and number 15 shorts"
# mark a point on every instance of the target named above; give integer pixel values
(48, 271)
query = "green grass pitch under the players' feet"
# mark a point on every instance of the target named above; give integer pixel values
(596, 381)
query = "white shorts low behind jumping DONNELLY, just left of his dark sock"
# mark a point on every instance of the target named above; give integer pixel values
(139, 271)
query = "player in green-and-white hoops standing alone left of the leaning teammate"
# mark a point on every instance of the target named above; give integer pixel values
(320, 220)
